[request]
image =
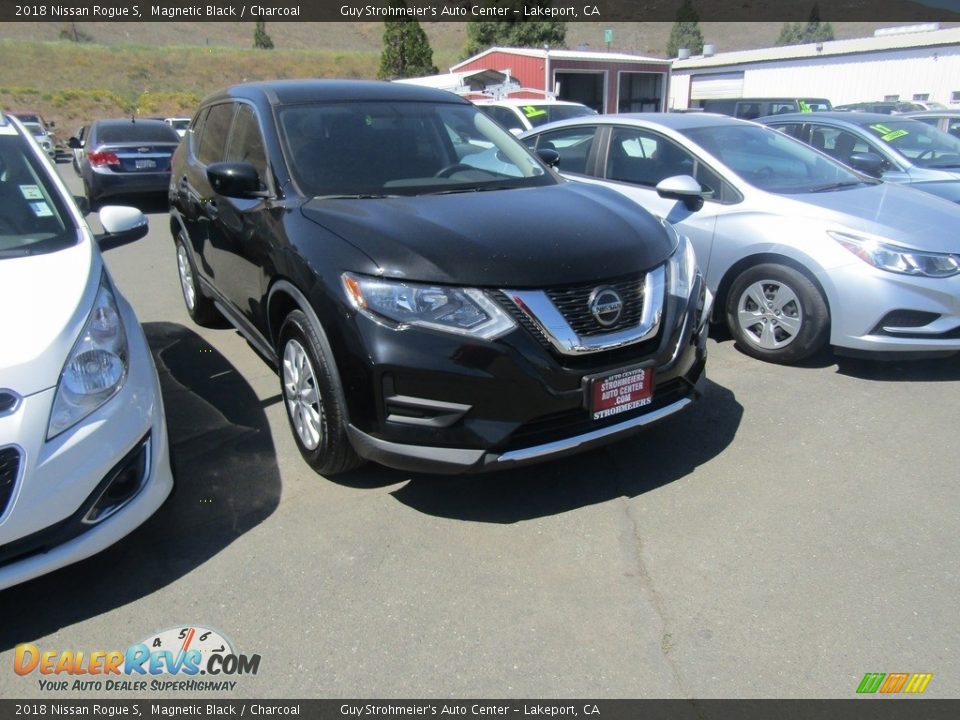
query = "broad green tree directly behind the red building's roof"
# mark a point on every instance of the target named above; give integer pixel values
(515, 31)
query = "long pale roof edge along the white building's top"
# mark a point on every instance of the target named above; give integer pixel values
(933, 38)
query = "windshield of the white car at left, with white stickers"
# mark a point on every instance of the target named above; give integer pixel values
(32, 215)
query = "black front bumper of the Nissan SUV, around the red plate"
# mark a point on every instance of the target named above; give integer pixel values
(427, 402)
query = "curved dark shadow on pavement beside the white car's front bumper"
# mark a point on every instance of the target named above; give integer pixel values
(227, 483)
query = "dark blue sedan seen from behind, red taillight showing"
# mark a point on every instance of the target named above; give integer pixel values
(125, 157)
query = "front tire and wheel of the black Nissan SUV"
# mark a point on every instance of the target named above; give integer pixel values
(313, 398)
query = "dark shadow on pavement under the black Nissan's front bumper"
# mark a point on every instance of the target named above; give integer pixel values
(659, 455)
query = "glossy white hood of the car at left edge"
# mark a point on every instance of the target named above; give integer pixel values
(44, 301)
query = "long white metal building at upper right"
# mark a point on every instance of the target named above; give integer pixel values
(915, 63)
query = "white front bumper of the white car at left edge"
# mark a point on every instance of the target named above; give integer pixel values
(42, 528)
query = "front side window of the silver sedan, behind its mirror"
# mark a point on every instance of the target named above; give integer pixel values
(644, 158)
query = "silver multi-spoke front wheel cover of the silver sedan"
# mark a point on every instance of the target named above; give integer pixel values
(769, 314)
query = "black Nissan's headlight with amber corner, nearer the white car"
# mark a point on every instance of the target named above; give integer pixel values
(463, 311)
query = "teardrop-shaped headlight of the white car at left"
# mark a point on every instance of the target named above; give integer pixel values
(96, 367)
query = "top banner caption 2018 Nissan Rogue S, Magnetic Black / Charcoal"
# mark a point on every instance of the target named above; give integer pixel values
(100, 11)
